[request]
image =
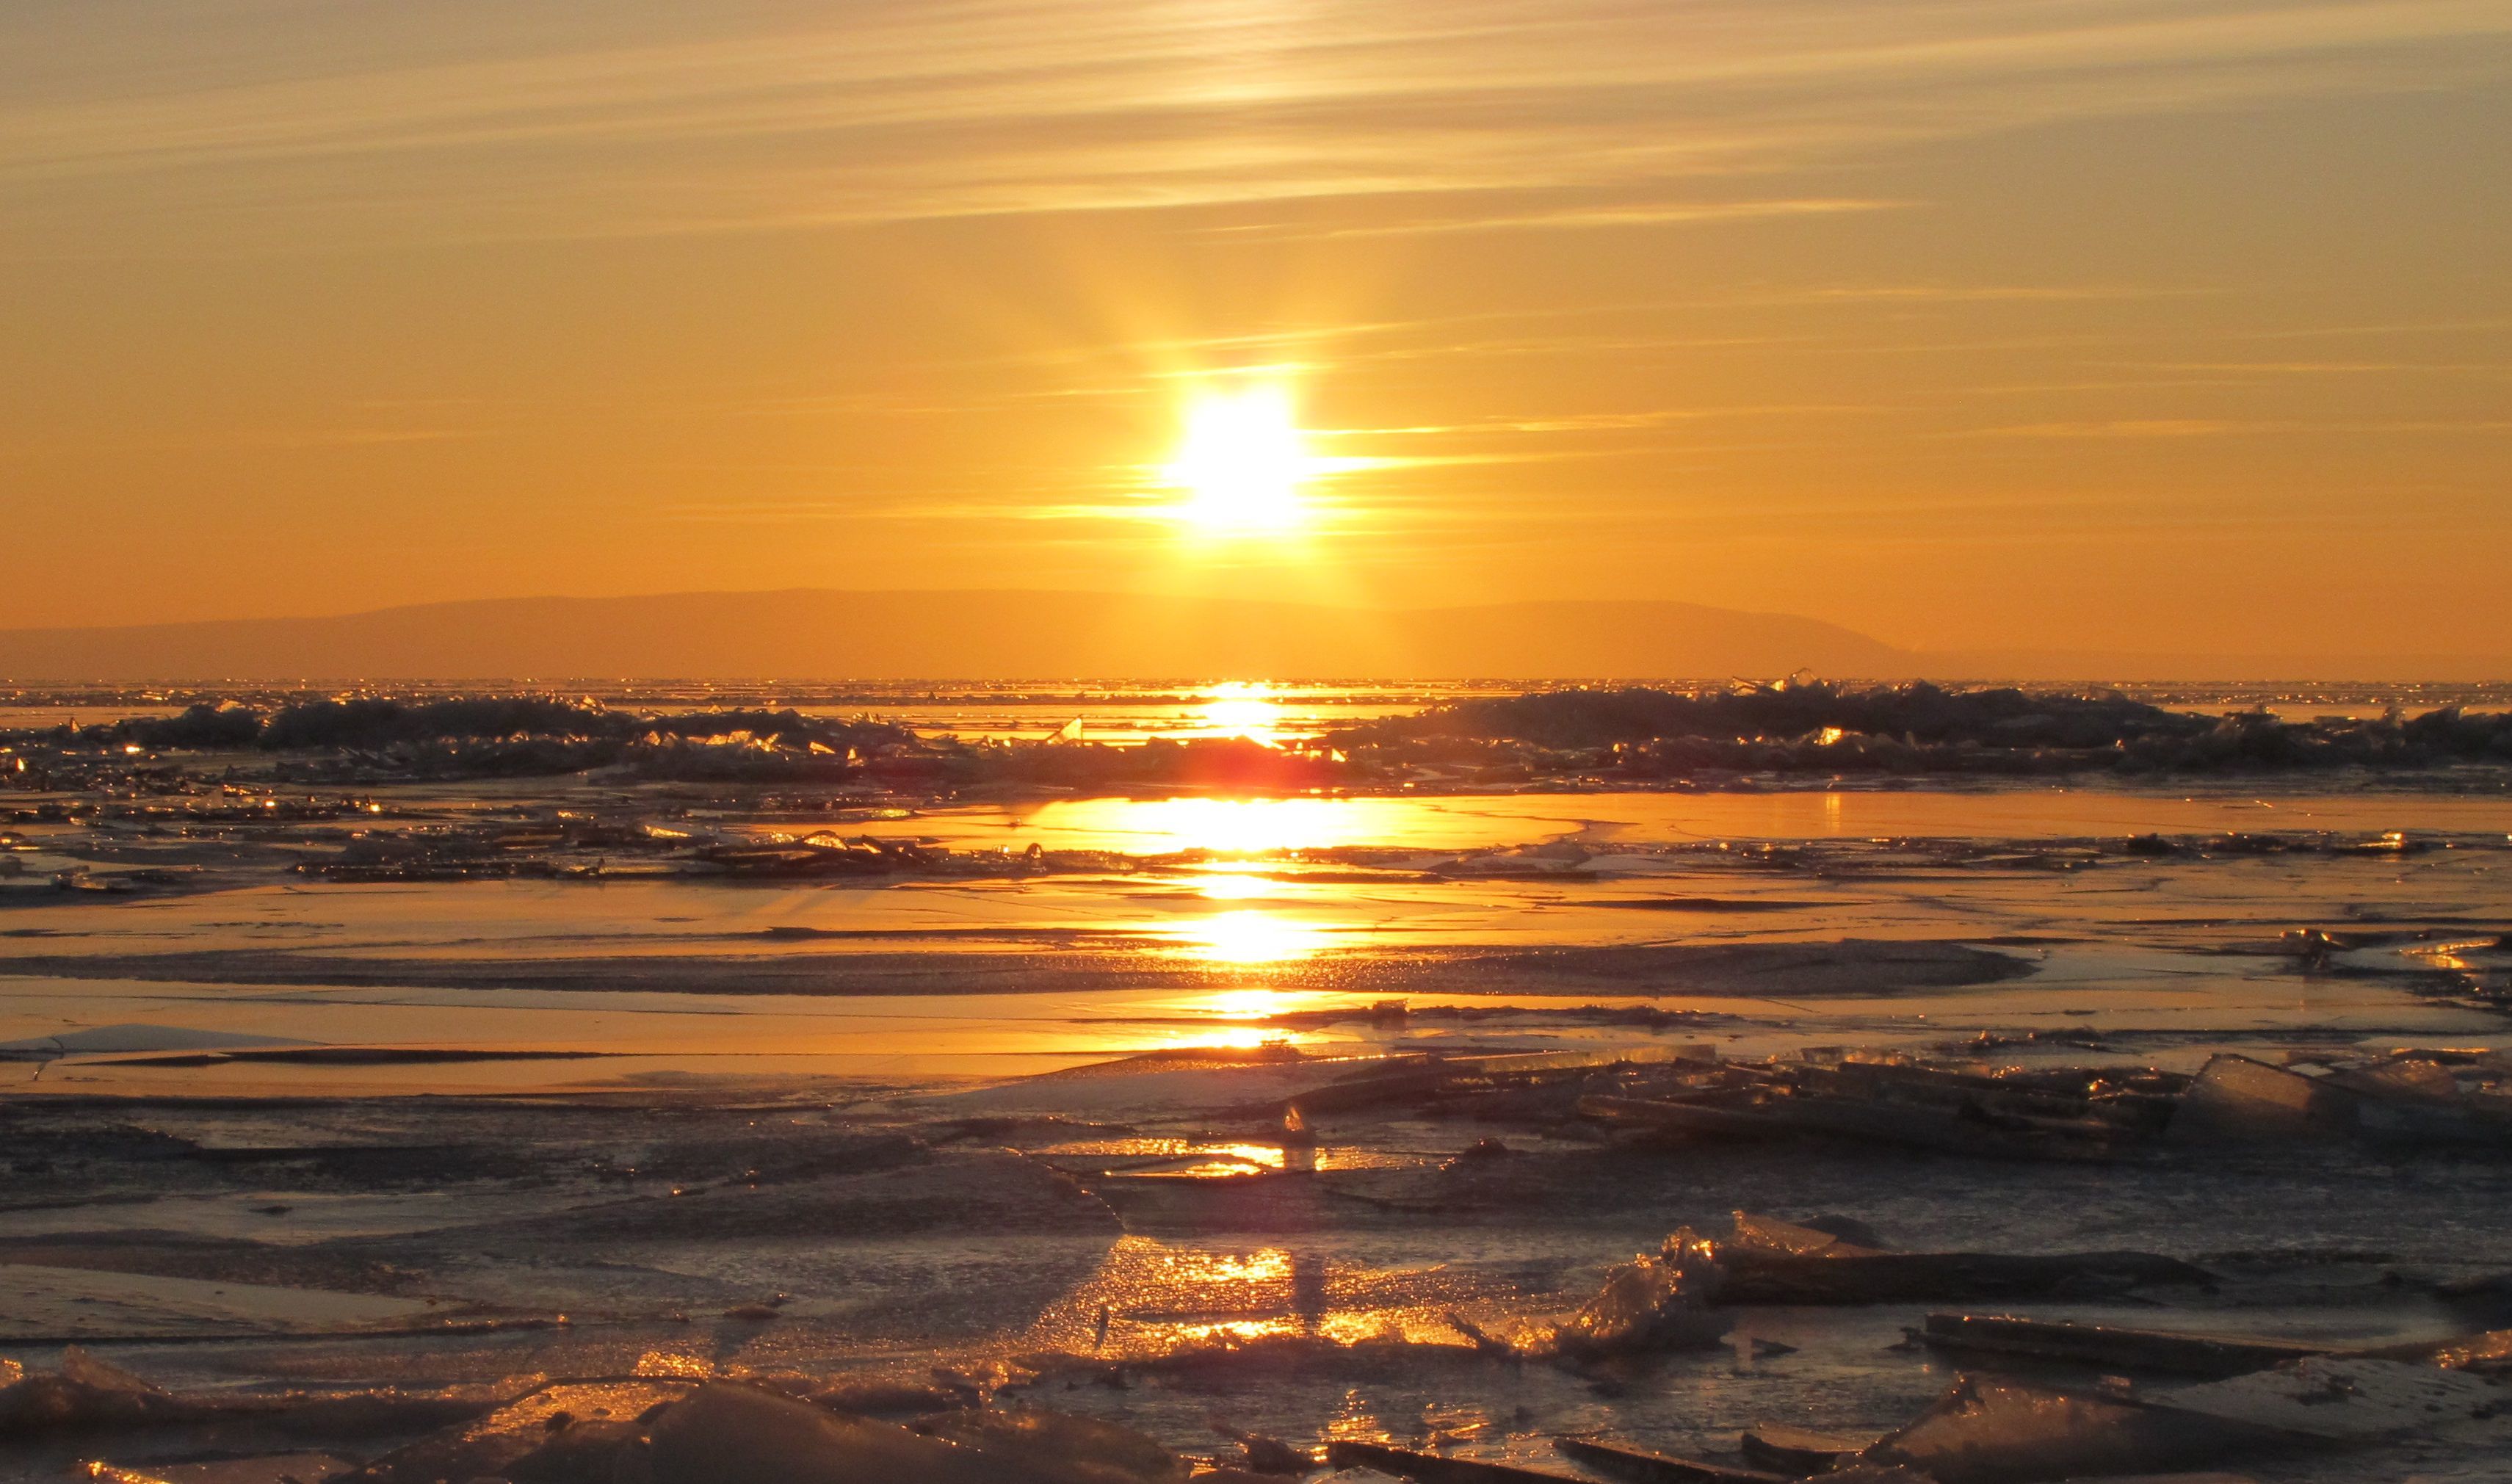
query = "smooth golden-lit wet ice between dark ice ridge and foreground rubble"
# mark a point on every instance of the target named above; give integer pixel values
(1220, 913)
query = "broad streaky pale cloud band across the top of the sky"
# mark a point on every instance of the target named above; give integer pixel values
(544, 119)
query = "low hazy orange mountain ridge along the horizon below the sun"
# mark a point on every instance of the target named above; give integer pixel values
(815, 634)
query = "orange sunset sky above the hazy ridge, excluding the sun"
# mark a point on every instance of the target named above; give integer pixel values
(2026, 323)
